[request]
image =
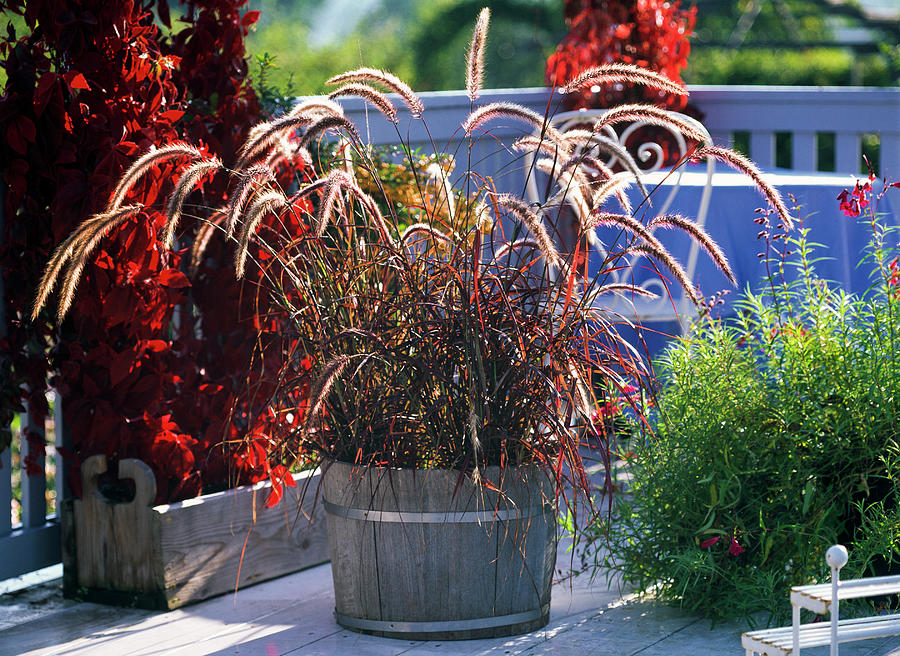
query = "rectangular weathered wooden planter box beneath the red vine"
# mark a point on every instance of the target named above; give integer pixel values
(163, 557)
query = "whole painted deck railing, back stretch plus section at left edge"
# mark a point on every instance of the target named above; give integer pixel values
(802, 115)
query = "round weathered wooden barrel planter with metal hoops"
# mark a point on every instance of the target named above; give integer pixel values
(428, 555)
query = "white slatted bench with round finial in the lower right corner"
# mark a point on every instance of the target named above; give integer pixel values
(825, 598)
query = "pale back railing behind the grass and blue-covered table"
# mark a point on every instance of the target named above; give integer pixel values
(802, 116)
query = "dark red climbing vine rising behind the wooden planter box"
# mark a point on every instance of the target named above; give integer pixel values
(153, 363)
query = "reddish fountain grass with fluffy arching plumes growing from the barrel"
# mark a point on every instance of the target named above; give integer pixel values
(441, 327)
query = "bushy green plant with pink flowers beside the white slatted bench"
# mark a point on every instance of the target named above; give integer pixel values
(775, 436)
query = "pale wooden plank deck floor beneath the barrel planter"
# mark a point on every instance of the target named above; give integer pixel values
(293, 615)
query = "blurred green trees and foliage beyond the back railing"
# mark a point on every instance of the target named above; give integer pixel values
(787, 42)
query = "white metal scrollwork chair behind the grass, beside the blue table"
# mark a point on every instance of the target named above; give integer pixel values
(670, 303)
